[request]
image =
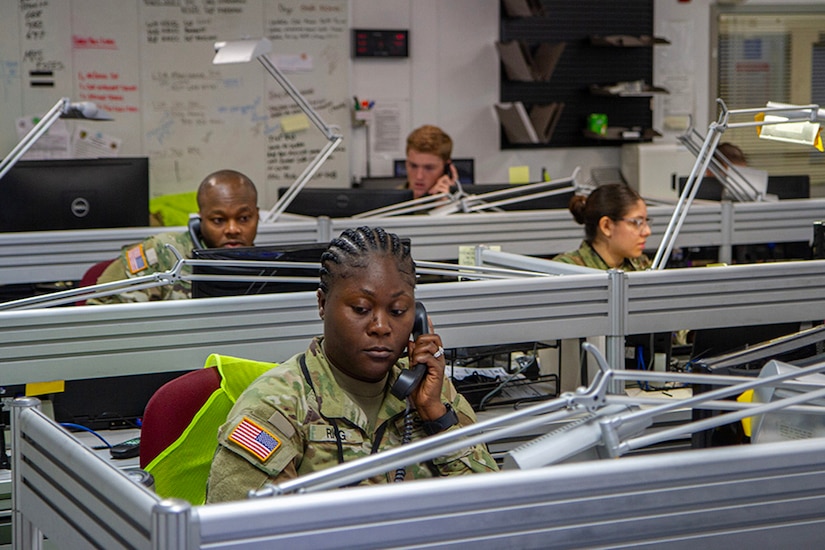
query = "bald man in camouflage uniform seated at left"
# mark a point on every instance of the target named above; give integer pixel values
(228, 210)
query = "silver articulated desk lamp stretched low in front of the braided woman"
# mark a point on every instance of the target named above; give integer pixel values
(616, 429)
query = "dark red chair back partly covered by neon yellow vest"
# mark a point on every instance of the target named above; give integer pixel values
(171, 409)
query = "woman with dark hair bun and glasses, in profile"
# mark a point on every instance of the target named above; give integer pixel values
(616, 228)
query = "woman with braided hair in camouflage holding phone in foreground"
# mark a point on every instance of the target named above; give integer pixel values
(336, 402)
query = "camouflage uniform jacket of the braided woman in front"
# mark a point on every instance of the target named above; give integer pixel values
(282, 427)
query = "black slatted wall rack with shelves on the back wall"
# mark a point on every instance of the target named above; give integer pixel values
(604, 42)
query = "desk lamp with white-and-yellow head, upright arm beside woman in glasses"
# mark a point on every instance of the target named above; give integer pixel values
(804, 122)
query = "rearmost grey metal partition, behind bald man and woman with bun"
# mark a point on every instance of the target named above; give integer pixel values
(48, 256)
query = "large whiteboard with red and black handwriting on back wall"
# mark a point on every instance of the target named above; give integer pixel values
(149, 64)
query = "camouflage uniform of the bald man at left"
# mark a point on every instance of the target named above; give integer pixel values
(145, 258)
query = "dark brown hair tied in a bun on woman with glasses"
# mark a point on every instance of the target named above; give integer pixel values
(612, 200)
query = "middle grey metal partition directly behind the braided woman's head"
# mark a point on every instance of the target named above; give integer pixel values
(87, 342)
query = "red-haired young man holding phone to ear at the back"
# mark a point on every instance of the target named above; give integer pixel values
(429, 169)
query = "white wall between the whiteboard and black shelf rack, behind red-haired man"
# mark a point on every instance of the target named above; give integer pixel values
(451, 79)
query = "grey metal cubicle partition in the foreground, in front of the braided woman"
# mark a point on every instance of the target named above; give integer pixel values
(768, 495)
